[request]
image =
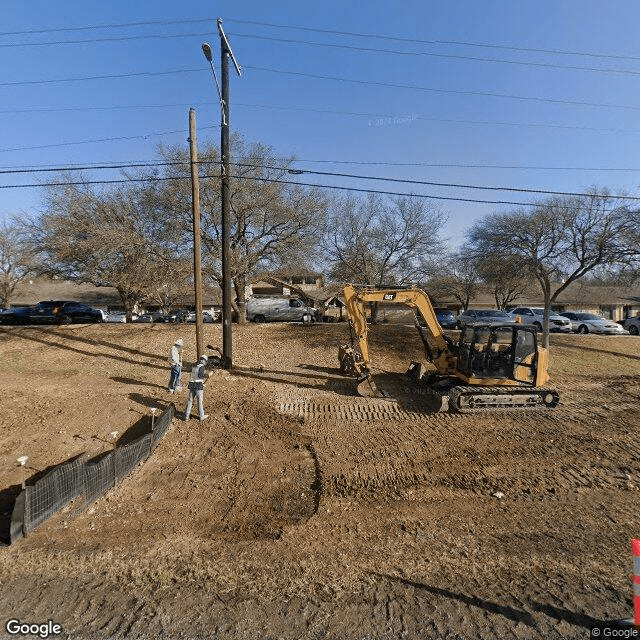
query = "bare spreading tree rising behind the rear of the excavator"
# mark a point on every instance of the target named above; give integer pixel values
(559, 241)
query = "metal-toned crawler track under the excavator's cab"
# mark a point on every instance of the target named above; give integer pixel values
(472, 399)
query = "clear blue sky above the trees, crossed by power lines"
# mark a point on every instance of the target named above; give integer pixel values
(499, 93)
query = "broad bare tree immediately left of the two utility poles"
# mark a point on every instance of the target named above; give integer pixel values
(105, 238)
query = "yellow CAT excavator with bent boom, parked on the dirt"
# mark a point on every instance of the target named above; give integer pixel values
(491, 367)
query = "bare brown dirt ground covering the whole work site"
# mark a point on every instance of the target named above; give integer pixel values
(299, 510)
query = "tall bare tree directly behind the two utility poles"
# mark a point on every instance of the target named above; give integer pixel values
(275, 222)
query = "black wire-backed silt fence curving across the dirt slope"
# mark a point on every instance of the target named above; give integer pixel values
(81, 480)
